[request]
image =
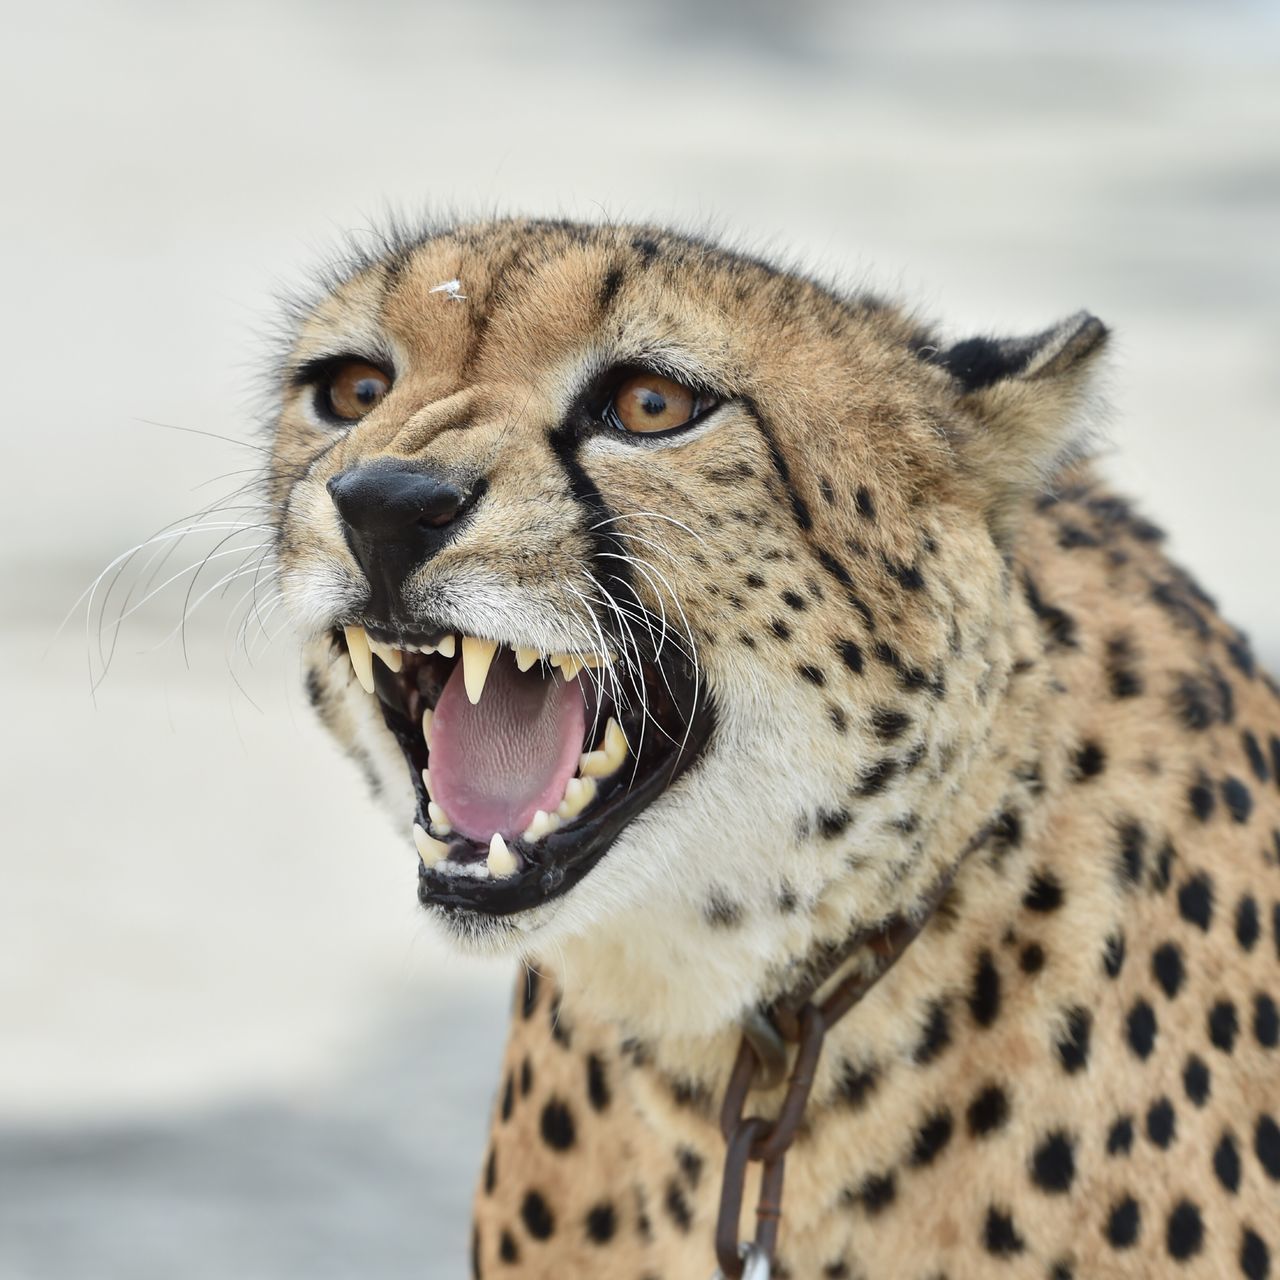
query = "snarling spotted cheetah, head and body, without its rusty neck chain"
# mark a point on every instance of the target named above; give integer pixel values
(694, 620)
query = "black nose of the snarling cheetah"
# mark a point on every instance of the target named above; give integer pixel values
(395, 516)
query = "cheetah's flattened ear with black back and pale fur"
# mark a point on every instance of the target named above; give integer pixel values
(1030, 400)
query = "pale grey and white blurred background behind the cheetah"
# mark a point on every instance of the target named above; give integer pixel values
(228, 1045)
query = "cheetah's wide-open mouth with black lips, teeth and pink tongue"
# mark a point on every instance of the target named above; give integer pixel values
(527, 765)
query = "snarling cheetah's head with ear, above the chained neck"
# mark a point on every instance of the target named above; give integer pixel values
(661, 595)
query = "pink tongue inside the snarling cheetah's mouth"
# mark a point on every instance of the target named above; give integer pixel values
(495, 765)
